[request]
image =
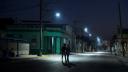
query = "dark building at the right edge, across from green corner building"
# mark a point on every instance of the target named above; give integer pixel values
(120, 44)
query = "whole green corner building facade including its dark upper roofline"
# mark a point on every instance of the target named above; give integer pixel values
(54, 36)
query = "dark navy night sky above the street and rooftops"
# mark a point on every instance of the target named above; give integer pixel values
(100, 16)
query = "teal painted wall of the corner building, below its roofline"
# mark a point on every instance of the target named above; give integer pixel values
(47, 43)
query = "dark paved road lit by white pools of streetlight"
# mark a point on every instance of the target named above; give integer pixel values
(91, 62)
